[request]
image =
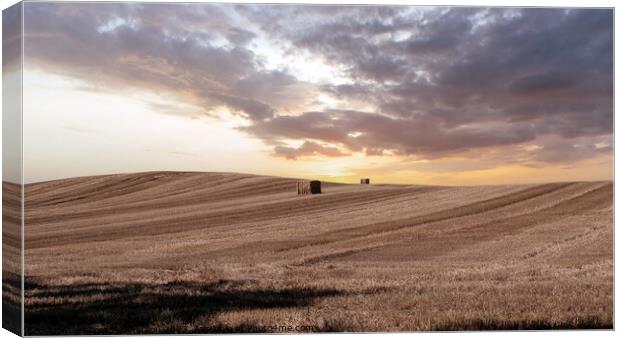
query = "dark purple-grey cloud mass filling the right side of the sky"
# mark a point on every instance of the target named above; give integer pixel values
(449, 79)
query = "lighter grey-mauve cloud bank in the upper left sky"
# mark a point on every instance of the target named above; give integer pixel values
(142, 45)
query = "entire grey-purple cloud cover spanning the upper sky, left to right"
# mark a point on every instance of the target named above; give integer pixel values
(433, 81)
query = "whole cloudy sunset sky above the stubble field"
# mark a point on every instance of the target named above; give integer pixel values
(400, 94)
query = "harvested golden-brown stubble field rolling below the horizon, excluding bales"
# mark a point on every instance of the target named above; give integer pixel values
(180, 252)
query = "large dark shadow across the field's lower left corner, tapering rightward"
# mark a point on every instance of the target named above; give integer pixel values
(131, 308)
